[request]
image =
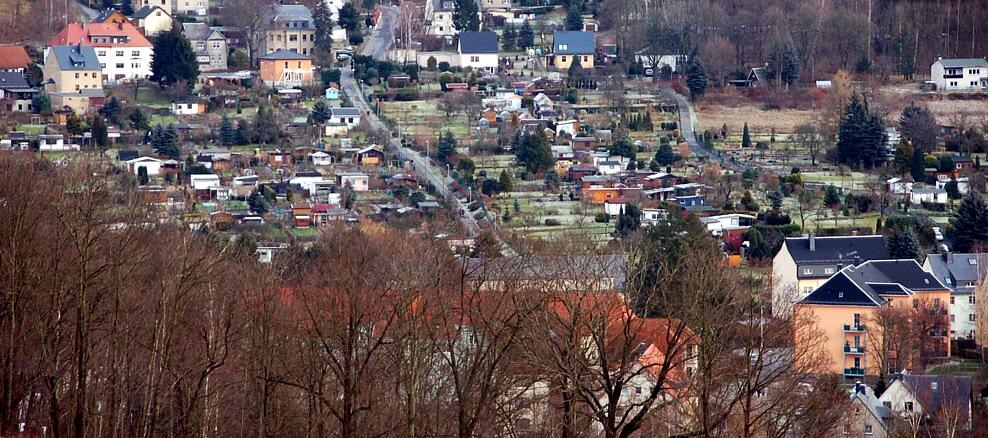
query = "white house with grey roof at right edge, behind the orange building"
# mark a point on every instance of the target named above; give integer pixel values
(962, 273)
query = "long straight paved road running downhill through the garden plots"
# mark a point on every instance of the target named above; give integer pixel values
(377, 46)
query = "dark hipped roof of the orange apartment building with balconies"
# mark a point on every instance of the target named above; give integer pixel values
(865, 285)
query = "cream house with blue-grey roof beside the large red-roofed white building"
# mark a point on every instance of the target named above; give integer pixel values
(72, 78)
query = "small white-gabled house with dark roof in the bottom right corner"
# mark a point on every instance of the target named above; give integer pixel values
(941, 402)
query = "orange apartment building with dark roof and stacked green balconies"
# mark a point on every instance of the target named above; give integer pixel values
(844, 310)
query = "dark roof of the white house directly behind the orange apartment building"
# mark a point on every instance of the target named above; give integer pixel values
(837, 249)
